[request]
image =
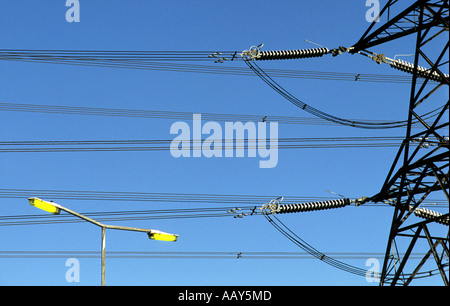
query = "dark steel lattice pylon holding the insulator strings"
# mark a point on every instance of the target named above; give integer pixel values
(418, 172)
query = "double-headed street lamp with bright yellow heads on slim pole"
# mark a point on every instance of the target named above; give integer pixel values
(55, 208)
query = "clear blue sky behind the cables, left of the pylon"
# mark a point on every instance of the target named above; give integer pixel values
(192, 26)
